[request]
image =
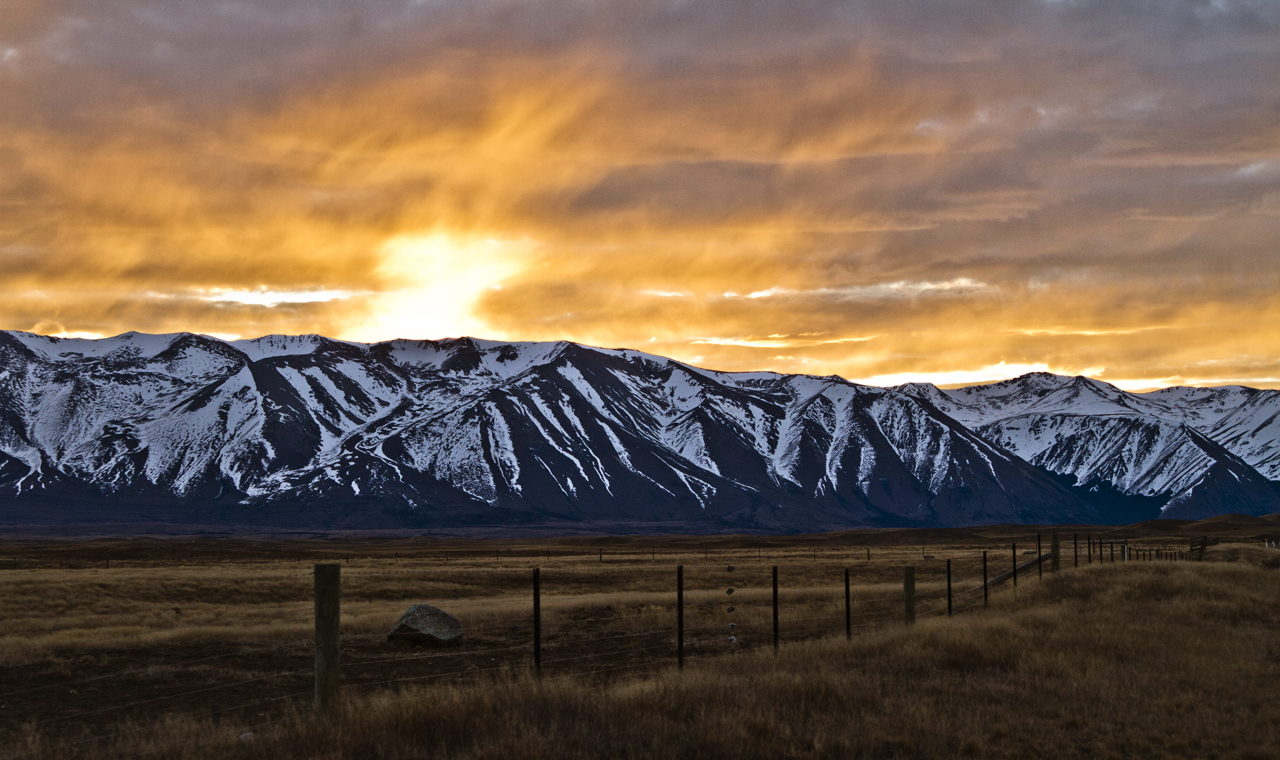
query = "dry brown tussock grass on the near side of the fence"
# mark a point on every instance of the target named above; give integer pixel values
(1124, 661)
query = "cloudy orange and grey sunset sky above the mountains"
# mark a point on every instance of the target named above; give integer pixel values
(912, 190)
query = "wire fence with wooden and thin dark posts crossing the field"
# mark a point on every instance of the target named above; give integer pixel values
(671, 616)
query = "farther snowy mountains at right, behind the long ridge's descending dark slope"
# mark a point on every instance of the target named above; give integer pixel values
(1197, 452)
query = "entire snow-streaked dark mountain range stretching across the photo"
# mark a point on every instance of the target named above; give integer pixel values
(312, 433)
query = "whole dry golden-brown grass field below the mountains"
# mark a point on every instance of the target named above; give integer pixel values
(184, 649)
